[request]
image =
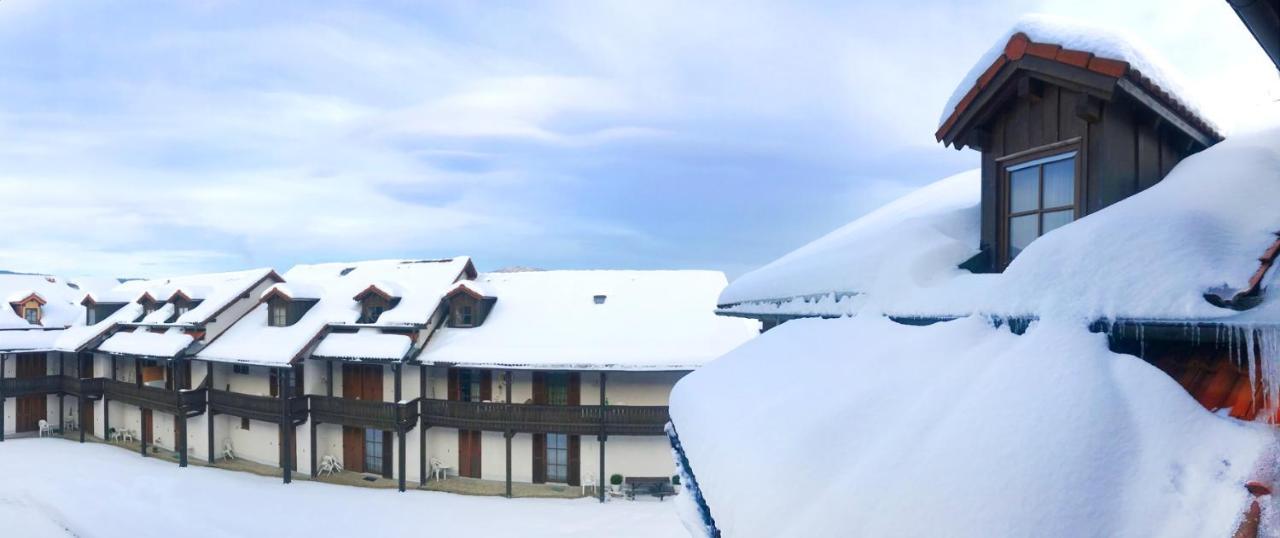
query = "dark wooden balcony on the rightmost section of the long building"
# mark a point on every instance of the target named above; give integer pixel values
(582, 421)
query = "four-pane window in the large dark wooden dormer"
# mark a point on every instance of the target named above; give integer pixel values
(1041, 199)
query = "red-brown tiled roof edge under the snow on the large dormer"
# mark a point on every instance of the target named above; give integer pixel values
(1020, 45)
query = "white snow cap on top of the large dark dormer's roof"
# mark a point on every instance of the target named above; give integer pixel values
(1105, 44)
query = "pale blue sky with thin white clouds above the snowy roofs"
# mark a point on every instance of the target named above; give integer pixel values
(149, 139)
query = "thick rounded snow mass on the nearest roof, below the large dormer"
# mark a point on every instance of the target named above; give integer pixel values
(984, 432)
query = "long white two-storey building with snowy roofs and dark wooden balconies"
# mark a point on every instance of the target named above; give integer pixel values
(405, 370)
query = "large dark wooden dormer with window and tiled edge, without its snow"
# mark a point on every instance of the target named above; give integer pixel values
(1064, 134)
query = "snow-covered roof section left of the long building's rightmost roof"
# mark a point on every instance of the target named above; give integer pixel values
(422, 285)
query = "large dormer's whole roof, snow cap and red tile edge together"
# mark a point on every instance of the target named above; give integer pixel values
(1099, 61)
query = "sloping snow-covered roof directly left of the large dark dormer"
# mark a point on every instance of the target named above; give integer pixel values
(920, 238)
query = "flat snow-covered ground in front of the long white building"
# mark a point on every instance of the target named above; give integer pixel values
(62, 489)
